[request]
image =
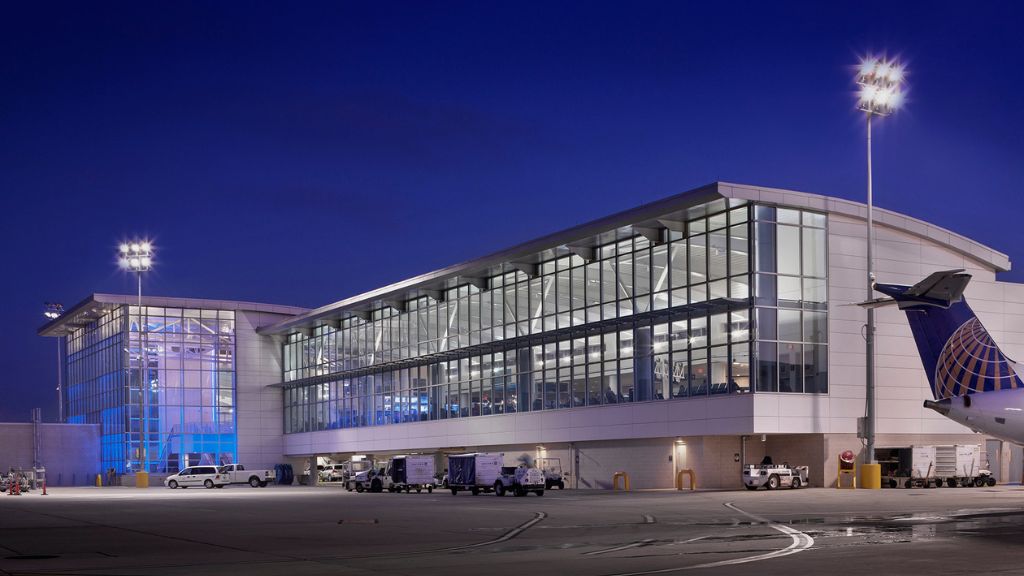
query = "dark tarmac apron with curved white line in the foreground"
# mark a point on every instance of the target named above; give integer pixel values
(326, 530)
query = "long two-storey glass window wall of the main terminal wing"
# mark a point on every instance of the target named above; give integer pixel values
(687, 314)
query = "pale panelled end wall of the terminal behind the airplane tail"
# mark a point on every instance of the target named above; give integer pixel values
(902, 384)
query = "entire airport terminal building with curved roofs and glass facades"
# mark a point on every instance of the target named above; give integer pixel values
(699, 332)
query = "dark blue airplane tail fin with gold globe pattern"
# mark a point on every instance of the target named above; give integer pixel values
(959, 355)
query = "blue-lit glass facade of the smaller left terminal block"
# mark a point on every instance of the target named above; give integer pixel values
(186, 361)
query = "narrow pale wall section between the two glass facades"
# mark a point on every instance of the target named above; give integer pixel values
(260, 409)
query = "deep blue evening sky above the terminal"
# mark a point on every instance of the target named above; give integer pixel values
(300, 153)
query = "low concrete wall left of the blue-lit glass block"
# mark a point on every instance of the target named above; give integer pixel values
(69, 452)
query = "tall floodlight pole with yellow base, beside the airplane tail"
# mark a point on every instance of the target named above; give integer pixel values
(881, 85)
